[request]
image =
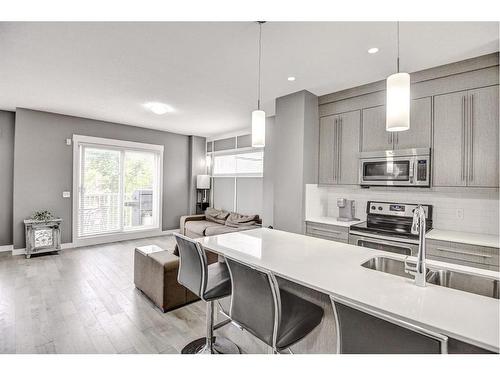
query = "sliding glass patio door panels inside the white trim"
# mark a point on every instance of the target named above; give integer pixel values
(117, 187)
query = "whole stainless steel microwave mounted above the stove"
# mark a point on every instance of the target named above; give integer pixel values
(409, 167)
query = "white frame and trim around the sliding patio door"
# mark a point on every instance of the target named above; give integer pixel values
(108, 143)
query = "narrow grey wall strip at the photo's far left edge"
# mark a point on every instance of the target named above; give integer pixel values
(7, 120)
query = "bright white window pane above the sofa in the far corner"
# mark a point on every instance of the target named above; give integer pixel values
(250, 164)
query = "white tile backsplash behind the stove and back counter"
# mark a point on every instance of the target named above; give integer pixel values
(473, 211)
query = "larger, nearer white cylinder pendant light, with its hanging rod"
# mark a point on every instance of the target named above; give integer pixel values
(398, 100)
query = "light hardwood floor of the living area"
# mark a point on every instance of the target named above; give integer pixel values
(84, 301)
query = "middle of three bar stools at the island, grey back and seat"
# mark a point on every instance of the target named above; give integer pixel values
(273, 315)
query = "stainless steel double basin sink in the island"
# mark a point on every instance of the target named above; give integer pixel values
(472, 283)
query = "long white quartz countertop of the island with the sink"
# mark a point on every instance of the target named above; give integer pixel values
(335, 268)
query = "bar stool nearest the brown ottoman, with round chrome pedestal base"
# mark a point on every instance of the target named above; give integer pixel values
(209, 282)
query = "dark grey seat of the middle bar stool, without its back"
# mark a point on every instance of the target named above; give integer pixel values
(299, 317)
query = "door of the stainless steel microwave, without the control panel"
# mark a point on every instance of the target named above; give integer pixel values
(392, 171)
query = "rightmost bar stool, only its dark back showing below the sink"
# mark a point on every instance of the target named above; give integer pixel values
(362, 330)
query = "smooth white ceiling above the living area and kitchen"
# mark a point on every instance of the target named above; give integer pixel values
(208, 71)
